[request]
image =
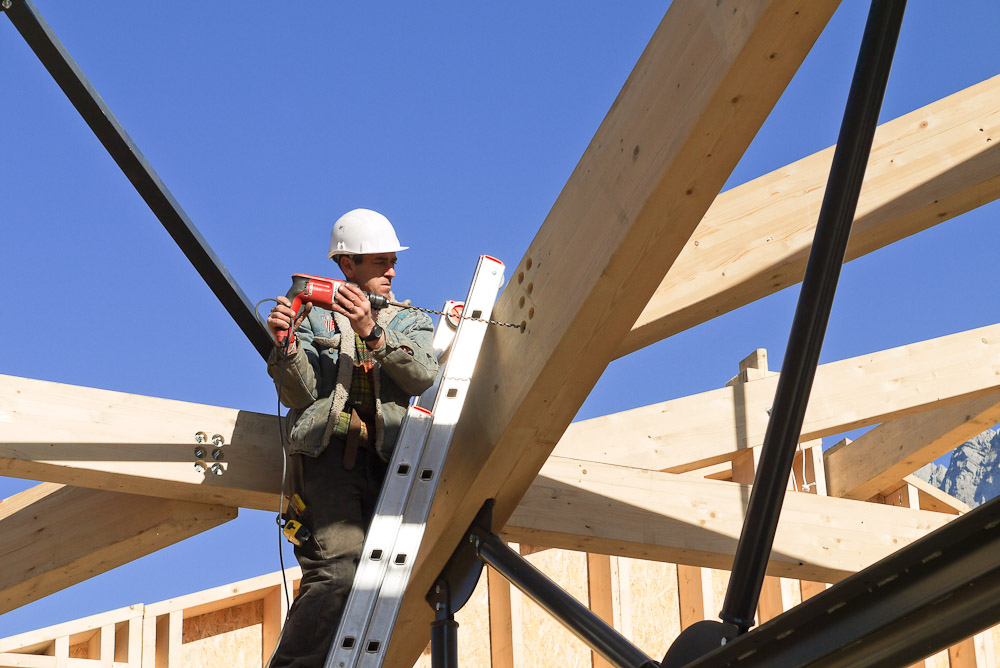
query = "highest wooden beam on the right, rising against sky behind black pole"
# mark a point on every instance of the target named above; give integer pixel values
(926, 167)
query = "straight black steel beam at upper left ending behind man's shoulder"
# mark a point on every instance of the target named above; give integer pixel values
(96, 114)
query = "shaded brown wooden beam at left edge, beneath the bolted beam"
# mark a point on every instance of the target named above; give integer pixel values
(53, 536)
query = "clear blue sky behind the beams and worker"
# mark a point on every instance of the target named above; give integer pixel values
(461, 122)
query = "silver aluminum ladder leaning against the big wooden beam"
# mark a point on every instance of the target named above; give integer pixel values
(404, 504)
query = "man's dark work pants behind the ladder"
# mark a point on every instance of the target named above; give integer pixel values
(339, 508)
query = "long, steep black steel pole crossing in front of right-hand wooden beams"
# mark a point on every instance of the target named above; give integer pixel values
(812, 312)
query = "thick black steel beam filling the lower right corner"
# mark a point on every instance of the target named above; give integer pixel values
(928, 596)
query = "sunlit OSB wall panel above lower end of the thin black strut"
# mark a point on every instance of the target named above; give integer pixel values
(655, 608)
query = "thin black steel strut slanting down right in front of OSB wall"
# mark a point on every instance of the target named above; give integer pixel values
(575, 616)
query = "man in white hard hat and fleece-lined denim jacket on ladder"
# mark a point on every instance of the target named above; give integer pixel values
(347, 377)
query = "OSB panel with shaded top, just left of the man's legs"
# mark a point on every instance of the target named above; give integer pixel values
(229, 637)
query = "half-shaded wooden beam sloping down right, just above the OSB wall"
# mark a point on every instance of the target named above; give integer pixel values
(596, 507)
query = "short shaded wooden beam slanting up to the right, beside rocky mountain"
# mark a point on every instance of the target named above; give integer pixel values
(861, 468)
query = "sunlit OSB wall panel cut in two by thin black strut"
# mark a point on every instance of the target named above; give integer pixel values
(546, 640)
